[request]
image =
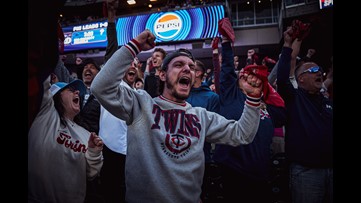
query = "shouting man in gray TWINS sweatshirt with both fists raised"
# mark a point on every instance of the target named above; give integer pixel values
(165, 159)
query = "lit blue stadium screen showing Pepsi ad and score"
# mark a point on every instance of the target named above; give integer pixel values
(168, 27)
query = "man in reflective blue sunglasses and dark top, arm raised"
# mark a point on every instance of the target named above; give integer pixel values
(309, 129)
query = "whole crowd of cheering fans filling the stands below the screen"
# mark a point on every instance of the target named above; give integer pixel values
(177, 131)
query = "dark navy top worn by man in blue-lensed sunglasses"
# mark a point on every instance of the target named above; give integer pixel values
(309, 127)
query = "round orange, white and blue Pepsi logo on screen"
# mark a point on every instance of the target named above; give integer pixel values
(168, 25)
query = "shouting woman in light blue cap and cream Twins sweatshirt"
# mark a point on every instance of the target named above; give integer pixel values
(61, 154)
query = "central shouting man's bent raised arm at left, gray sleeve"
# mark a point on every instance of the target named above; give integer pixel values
(106, 85)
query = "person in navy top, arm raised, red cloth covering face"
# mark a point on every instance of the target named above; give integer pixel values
(246, 169)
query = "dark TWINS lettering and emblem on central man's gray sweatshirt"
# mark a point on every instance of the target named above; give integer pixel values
(181, 129)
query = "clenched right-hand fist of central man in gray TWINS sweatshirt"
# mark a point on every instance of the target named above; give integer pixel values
(252, 85)
